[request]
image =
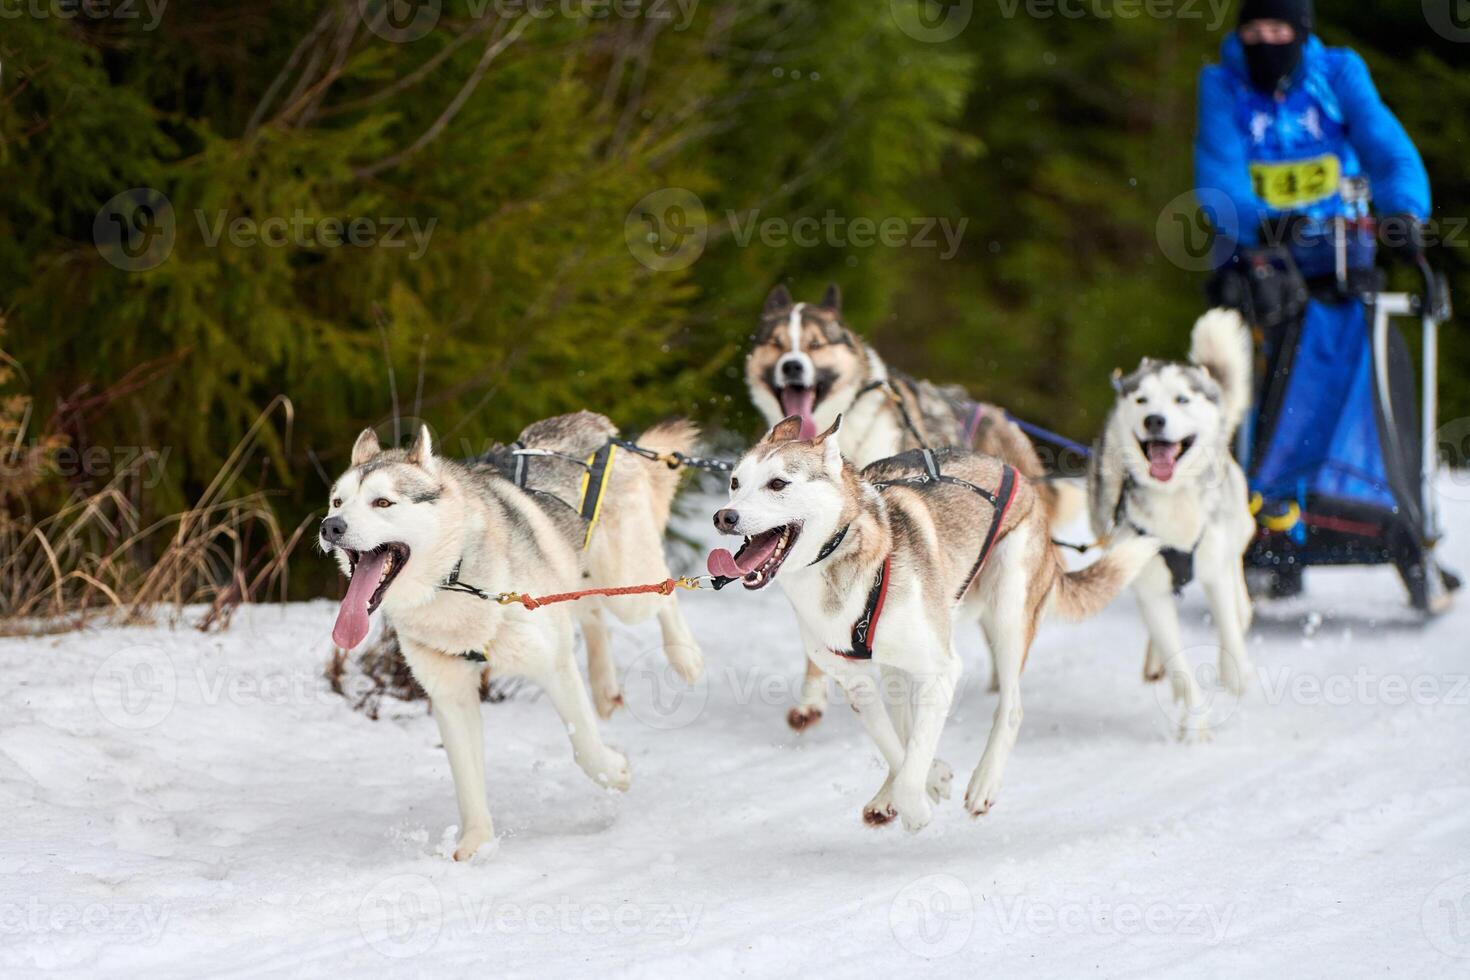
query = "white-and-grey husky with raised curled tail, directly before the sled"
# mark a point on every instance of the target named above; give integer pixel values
(1164, 468)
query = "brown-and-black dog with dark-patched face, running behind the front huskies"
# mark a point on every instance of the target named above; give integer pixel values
(808, 364)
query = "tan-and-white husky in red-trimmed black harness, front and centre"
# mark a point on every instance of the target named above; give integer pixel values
(880, 565)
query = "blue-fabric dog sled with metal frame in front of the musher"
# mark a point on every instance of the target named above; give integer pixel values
(1340, 453)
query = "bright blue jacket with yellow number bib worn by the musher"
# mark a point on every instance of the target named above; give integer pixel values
(1258, 158)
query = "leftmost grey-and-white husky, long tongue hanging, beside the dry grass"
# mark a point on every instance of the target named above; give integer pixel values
(427, 538)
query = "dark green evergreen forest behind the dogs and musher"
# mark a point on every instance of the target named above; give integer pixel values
(571, 165)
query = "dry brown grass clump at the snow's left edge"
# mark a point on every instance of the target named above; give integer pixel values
(96, 556)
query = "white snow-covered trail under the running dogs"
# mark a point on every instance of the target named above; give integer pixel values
(192, 804)
